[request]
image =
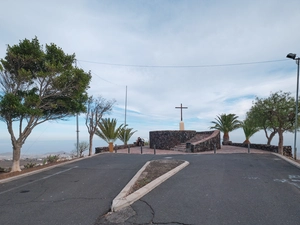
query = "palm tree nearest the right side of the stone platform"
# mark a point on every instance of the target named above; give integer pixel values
(226, 123)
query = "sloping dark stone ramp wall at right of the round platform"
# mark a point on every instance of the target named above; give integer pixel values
(208, 143)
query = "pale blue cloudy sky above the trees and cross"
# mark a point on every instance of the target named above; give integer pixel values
(212, 56)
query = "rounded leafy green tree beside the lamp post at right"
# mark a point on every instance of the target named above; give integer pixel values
(277, 113)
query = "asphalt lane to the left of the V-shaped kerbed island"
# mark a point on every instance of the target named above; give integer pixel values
(77, 193)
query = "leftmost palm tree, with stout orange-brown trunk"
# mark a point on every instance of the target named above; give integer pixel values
(108, 131)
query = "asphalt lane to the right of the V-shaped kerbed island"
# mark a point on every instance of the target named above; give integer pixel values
(225, 189)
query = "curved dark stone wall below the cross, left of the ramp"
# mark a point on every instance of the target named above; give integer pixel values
(168, 139)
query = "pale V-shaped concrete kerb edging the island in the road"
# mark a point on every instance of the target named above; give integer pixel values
(123, 199)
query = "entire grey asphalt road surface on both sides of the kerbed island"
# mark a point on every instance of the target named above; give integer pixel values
(213, 189)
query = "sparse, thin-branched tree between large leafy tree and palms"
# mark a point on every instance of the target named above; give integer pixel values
(96, 108)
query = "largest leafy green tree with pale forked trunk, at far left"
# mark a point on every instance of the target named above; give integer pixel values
(38, 84)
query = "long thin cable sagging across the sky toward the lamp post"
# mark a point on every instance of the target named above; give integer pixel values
(184, 66)
